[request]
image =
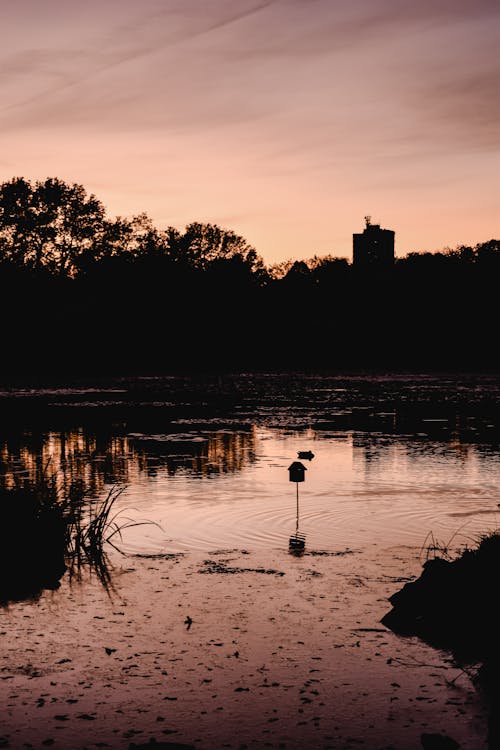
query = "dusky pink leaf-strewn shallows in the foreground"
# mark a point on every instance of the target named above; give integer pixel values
(287, 661)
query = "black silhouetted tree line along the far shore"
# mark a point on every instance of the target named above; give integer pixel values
(83, 294)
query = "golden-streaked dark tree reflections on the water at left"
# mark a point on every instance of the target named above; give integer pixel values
(100, 459)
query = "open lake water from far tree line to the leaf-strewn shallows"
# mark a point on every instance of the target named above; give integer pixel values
(394, 460)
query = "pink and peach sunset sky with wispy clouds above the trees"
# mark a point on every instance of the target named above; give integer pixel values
(285, 120)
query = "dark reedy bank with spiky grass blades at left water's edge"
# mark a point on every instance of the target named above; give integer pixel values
(47, 533)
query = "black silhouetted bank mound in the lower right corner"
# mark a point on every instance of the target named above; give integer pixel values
(453, 606)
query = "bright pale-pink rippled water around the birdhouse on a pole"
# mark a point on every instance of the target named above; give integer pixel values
(358, 489)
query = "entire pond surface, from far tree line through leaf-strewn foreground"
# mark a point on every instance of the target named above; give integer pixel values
(400, 465)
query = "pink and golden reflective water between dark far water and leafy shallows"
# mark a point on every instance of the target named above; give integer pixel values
(225, 489)
